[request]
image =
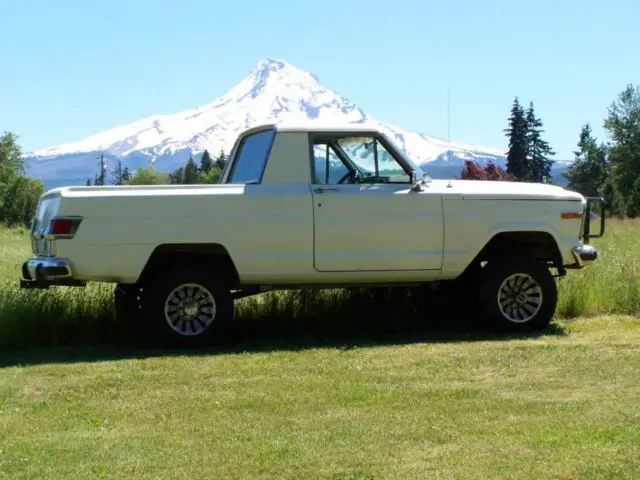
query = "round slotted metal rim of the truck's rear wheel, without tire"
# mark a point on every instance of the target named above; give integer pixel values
(190, 309)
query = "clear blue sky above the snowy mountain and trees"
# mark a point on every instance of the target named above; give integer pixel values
(69, 69)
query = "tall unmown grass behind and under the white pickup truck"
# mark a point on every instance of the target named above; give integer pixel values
(73, 316)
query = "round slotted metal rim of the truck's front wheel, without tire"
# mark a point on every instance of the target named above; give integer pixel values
(519, 298)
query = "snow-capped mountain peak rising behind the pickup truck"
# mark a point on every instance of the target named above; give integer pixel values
(274, 92)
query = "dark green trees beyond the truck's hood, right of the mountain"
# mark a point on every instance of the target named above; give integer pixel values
(610, 170)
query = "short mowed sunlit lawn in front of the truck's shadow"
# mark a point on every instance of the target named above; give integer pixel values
(565, 405)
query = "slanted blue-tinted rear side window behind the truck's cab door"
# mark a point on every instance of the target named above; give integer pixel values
(251, 158)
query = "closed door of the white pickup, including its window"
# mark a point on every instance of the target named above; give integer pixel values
(366, 217)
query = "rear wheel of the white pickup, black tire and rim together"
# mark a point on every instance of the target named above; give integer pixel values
(165, 289)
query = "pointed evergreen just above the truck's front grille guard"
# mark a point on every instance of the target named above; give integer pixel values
(590, 170)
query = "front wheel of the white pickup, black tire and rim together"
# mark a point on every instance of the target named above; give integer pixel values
(518, 294)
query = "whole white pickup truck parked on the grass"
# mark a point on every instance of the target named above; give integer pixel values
(305, 207)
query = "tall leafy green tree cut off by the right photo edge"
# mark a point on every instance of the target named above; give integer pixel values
(623, 126)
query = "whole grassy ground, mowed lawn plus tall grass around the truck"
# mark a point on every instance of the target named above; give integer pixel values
(427, 403)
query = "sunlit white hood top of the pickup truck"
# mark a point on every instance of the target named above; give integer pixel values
(488, 190)
